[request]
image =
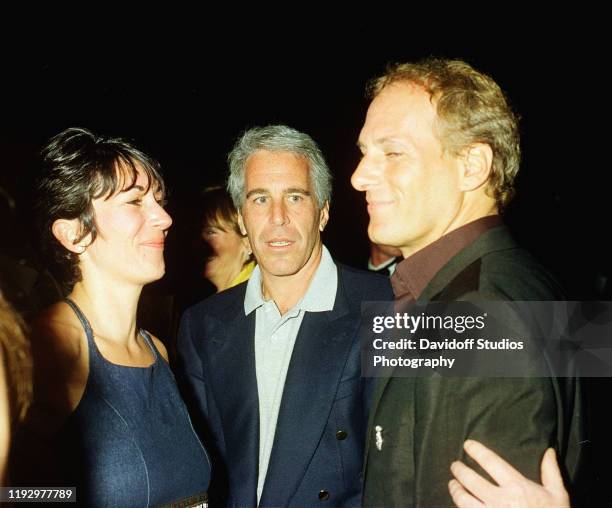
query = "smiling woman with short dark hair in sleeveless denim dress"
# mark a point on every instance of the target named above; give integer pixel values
(104, 394)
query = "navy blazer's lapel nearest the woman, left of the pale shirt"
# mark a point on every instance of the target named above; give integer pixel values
(233, 362)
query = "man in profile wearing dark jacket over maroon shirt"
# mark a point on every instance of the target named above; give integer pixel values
(440, 149)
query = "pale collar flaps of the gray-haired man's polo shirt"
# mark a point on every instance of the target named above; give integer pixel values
(319, 297)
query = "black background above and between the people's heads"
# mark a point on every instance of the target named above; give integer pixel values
(183, 91)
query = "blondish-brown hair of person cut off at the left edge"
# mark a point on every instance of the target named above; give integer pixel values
(15, 378)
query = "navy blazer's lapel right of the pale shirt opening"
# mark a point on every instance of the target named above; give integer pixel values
(317, 363)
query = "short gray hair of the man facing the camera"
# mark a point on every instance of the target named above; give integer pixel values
(277, 138)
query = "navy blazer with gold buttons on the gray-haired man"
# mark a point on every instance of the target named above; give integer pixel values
(318, 447)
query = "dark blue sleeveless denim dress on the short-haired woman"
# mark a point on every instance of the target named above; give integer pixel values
(130, 441)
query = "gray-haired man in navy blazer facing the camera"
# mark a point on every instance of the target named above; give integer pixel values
(272, 366)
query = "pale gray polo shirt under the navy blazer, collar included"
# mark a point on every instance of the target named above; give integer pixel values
(274, 340)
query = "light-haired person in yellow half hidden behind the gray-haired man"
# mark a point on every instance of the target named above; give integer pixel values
(230, 260)
